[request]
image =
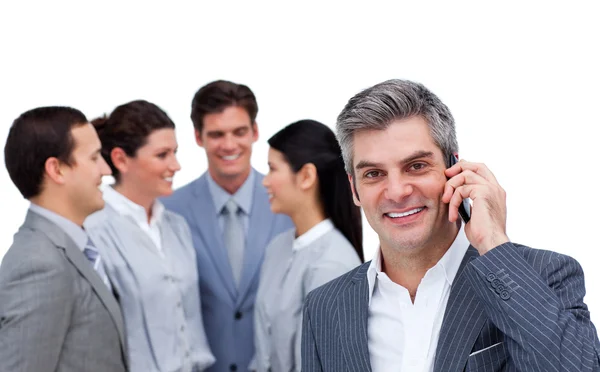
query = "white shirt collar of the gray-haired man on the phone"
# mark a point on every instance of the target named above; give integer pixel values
(450, 261)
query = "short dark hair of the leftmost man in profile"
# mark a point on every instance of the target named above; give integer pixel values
(35, 136)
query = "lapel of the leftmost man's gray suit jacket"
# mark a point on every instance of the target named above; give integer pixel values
(76, 257)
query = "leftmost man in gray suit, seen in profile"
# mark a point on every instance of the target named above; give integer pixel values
(57, 311)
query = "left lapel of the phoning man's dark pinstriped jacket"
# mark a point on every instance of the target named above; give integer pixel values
(353, 313)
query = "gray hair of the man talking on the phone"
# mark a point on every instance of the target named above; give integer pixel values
(375, 108)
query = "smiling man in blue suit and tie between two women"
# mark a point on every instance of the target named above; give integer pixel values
(229, 243)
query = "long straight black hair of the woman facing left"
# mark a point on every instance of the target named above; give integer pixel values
(308, 141)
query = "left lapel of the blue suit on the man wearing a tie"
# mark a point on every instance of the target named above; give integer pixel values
(204, 212)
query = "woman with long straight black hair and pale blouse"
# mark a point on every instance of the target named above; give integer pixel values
(307, 182)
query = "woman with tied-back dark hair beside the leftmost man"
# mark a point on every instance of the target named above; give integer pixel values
(146, 249)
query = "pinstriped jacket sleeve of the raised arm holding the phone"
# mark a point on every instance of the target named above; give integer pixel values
(546, 324)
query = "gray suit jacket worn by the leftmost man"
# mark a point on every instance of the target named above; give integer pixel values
(56, 314)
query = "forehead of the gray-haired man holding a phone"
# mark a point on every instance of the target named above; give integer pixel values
(400, 139)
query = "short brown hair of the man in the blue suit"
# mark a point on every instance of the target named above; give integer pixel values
(219, 95)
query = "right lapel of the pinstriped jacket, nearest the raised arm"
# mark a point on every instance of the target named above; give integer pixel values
(463, 321)
